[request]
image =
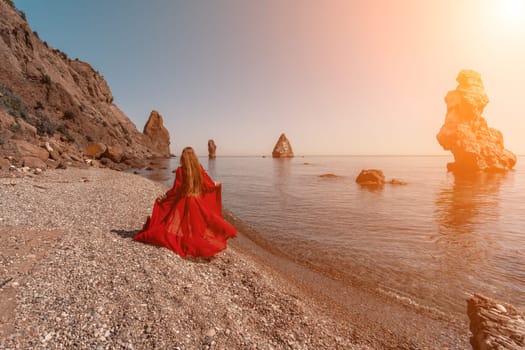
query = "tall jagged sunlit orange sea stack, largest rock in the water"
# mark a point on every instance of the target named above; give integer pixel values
(465, 133)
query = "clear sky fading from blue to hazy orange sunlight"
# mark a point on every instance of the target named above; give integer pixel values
(354, 77)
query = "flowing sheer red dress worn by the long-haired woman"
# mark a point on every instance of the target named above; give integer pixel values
(188, 225)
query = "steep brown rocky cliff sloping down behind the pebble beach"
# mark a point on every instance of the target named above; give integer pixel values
(58, 104)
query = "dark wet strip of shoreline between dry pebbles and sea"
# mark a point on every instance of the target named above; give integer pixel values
(380, 321)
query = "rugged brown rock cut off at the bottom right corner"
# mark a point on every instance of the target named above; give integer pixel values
(495, 325)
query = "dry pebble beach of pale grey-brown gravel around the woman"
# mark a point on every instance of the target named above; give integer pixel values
(71, 277)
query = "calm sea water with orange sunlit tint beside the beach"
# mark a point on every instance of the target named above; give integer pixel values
(433, 242)
